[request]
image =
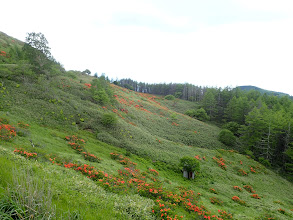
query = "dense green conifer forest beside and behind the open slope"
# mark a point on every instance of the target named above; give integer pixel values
(262, 123)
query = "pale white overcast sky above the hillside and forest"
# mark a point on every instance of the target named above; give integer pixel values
(203, 42)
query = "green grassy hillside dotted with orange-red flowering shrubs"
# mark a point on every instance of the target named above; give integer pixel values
(60, 159)
